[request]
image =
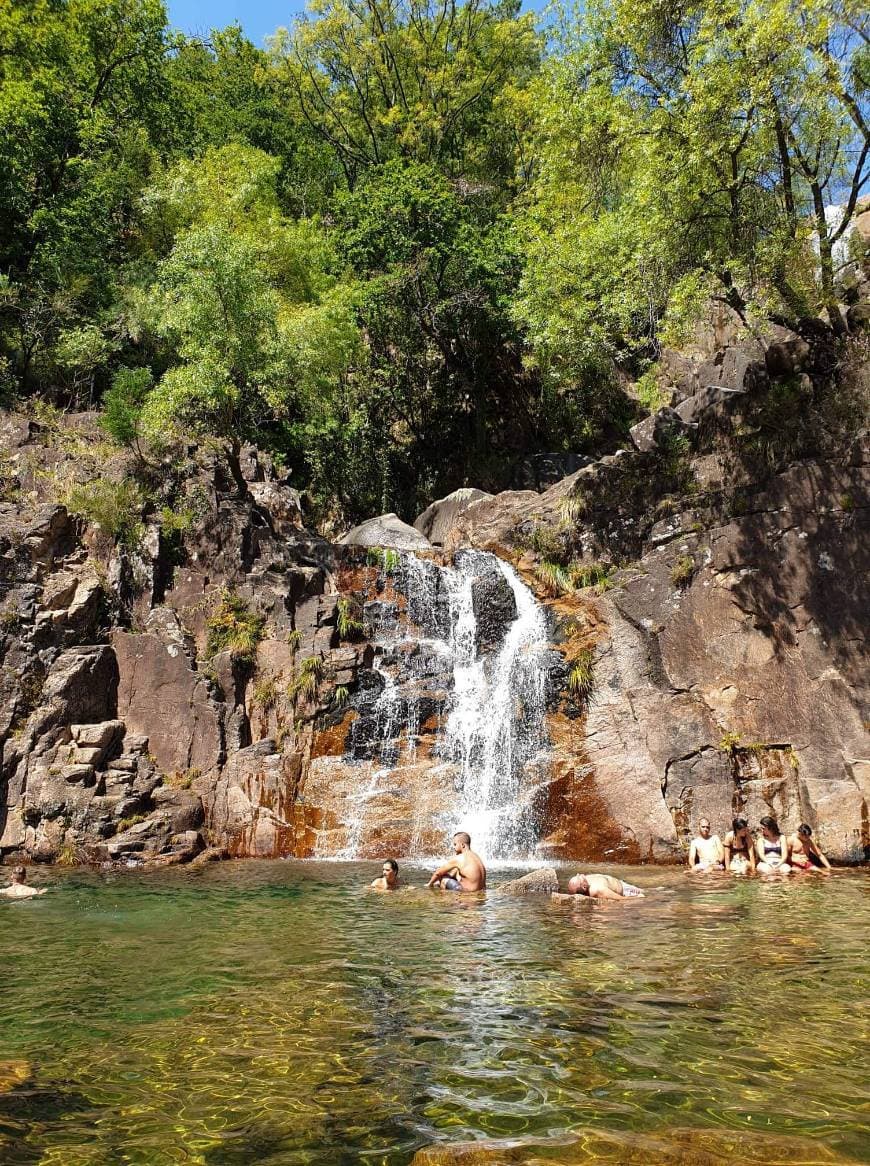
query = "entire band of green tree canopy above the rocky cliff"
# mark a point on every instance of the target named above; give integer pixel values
(413, 242)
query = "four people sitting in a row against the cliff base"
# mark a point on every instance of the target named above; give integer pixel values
(770, 854)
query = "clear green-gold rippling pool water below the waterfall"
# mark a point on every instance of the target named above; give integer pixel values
(282, 1014)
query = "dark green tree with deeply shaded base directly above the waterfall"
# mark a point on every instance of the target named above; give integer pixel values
(445, 389)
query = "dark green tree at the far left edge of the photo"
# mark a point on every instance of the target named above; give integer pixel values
(81, 88)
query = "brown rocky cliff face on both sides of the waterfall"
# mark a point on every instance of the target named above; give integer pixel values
(192, 669)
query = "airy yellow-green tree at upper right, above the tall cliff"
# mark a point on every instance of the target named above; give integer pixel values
(687, 152)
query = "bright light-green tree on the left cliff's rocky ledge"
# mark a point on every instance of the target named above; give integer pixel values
(257, 325)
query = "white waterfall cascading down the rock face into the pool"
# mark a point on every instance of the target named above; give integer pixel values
(465, 647)
